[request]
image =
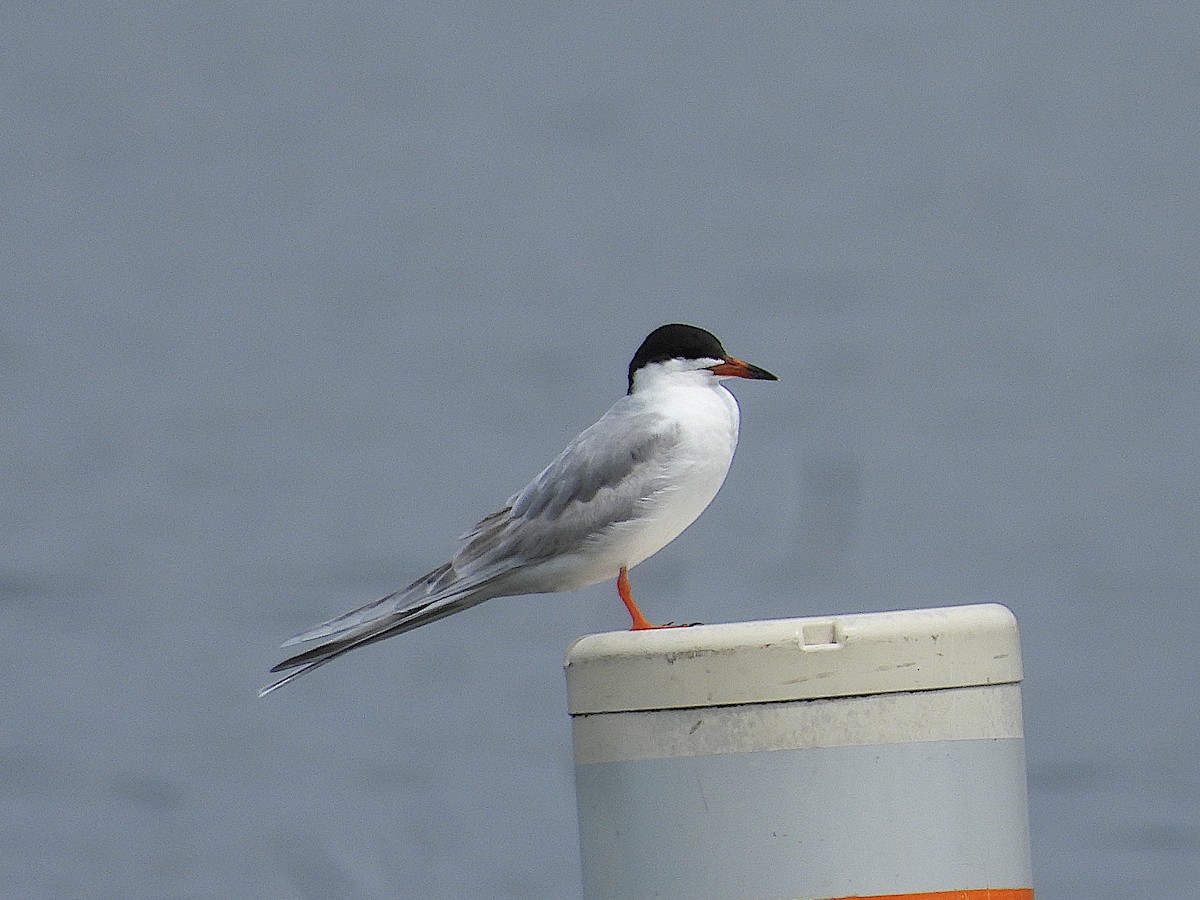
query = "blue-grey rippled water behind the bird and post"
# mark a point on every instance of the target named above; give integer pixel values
(293, 295)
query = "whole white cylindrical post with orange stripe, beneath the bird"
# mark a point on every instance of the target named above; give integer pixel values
(877, 755)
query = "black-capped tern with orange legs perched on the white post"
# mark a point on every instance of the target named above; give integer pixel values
(620, 493)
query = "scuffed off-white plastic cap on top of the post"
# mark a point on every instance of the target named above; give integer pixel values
(794, 659)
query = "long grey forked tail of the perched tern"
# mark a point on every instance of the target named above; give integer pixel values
(394, 615)
